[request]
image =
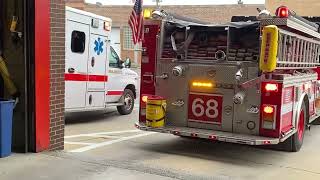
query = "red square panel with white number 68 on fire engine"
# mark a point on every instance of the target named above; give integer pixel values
(205, 108)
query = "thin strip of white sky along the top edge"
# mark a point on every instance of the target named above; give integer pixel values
(177, 2)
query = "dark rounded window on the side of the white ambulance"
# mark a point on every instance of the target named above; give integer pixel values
(78, 41)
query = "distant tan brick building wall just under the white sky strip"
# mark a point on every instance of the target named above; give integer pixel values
(210, 13)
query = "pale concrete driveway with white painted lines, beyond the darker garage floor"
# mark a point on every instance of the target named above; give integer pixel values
(111, 138)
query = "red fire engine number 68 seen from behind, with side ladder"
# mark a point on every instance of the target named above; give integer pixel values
(252, 82)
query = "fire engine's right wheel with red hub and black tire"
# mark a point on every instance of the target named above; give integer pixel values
(294, 143)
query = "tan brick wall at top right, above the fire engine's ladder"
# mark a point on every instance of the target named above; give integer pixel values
(301, 7)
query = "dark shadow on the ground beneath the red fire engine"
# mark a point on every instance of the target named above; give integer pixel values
(217, 151)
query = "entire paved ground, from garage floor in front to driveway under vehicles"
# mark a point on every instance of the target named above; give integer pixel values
(105, 145)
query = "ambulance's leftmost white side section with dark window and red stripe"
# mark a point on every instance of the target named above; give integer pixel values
(77, 42)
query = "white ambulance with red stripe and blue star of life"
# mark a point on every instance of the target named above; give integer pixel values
(95, 77)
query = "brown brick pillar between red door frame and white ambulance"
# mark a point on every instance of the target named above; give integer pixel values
(57, 14)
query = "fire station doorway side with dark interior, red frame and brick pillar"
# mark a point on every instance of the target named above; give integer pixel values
(32, 45)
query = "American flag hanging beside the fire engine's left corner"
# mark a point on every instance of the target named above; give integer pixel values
(136, 22)
